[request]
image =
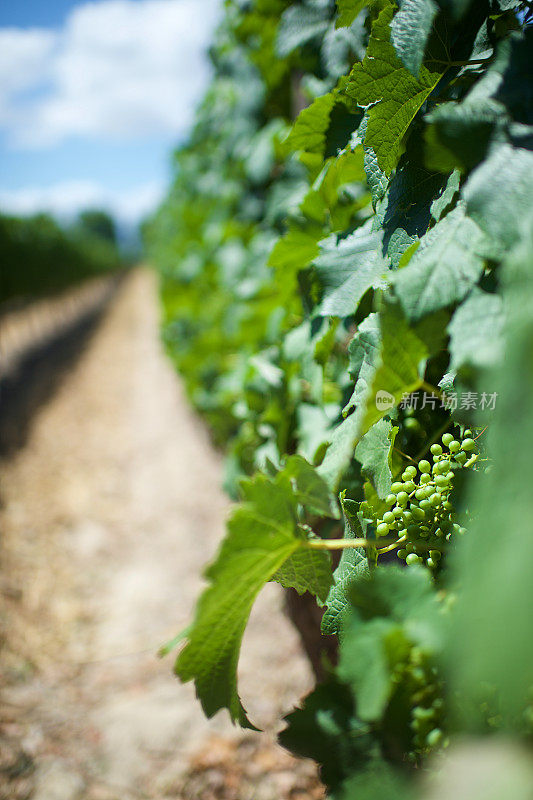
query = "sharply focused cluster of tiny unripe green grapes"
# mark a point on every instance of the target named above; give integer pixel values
(420, 512)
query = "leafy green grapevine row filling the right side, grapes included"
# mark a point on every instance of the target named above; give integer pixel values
(350, 223)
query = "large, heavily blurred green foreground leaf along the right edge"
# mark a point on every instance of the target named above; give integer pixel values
(489, 643)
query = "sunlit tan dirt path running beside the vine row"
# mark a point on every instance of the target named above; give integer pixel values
(108, 515)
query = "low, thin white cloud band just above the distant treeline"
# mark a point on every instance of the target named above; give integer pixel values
(67, 198)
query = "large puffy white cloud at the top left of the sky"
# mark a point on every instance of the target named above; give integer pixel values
(118, 68)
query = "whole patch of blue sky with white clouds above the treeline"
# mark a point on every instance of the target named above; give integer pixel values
(93, 97)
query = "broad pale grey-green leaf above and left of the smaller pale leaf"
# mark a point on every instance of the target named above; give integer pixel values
(448, 263)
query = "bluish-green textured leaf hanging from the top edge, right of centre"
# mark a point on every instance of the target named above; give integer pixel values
(410, 31)
